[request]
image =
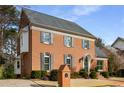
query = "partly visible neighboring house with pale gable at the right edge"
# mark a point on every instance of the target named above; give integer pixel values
(119, 46)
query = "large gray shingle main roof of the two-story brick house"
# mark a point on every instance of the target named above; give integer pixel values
(44, 20)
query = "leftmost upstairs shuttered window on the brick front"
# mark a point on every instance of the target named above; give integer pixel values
(46, 37)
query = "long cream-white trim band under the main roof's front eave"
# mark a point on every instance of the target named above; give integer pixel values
(60, 33)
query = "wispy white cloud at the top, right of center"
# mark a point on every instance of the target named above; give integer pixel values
(85, 10)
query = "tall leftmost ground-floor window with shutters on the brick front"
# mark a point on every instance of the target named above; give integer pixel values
(46, 61)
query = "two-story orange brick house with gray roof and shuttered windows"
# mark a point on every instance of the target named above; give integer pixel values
(46, 42)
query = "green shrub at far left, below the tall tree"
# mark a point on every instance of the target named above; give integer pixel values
(9, 72)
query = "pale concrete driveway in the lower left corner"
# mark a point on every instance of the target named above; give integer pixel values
(17, 83)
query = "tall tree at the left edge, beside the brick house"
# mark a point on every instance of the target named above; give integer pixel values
(8, 29)
